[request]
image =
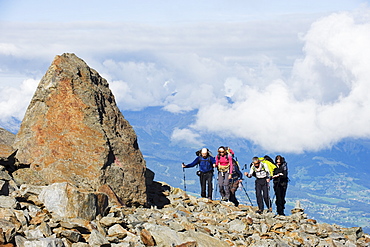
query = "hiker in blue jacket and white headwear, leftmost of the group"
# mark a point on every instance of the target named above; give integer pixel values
(206, 163)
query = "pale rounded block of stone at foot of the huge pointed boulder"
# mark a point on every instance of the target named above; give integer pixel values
(67, 201)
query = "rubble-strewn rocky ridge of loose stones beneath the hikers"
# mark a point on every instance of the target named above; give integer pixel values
(61, 215)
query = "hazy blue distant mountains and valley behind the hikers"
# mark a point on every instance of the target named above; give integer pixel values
(332, 185)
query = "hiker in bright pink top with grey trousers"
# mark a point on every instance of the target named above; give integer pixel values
(224, 165)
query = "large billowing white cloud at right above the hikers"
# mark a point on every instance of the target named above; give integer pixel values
(306, 113)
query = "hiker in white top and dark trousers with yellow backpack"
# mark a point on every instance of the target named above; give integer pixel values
(261, 172)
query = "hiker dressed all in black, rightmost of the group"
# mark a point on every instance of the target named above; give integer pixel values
(280, 179)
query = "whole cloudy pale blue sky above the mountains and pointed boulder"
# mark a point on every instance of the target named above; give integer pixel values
(303, 65)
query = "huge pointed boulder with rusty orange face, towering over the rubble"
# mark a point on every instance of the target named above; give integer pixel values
(74, 132)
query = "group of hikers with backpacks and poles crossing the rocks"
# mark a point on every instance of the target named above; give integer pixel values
(229, 177)
